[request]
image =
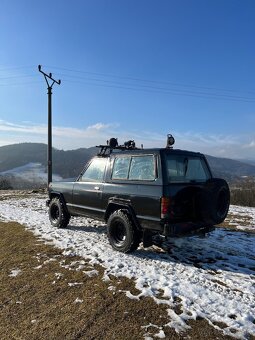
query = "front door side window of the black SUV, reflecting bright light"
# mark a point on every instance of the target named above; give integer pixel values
(95, 171)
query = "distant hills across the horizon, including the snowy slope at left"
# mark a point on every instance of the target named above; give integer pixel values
(19, 161)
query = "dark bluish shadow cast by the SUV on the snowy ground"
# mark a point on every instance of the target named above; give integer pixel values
(221, 249)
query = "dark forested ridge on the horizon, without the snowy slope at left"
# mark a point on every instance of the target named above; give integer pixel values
(68, 164)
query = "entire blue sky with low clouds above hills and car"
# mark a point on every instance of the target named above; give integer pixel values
(135, 69)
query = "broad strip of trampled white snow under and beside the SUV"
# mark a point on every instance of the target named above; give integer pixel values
(212, 277)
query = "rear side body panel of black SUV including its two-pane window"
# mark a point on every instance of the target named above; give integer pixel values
(134, 180)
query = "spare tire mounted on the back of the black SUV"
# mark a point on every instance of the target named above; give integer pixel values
(214, 201)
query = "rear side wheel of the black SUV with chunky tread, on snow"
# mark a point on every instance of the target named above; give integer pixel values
(122, 233)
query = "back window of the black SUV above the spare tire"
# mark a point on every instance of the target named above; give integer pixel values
(182, 168)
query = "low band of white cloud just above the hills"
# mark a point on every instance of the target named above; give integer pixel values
(72, 138)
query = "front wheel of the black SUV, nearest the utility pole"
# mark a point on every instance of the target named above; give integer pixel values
(58, 215)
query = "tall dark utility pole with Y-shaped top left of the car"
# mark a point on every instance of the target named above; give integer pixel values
(48, 78)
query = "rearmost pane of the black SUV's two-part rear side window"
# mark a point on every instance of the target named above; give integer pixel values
(142, 168)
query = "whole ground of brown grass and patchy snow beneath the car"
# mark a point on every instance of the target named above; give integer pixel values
(70, 283)
